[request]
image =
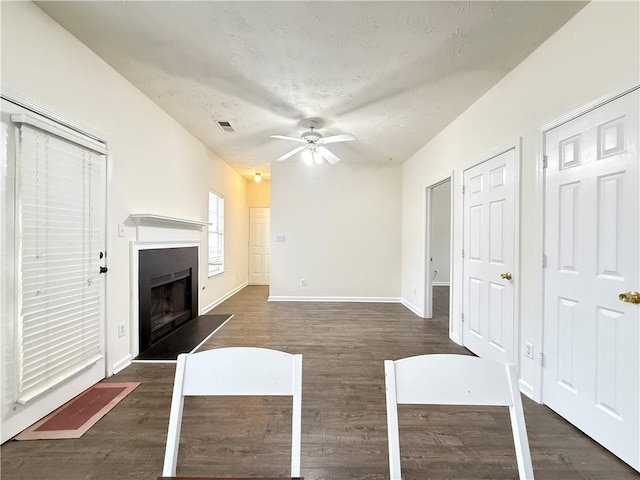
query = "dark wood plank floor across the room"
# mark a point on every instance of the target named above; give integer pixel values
(343, 425)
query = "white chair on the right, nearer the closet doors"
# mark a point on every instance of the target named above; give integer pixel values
(454, 380)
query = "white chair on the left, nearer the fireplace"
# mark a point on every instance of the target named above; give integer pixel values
(235, 371)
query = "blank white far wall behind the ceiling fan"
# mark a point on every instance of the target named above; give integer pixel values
(342, 230)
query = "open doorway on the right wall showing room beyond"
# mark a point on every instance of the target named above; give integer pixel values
(438, 252)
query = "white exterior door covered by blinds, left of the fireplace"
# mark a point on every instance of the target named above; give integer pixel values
(53, 247)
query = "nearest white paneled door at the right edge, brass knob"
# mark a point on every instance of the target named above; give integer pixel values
(591, 374)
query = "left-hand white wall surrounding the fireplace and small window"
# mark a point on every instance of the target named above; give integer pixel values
(155, 166)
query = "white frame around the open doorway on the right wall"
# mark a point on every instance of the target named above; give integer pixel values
(427, 307)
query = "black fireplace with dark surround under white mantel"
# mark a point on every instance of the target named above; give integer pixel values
(167, 290)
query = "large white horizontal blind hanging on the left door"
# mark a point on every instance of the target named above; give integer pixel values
(61, 231)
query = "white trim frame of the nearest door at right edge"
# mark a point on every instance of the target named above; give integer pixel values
(540, 193)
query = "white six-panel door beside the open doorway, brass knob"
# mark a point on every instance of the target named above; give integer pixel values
(488, 258)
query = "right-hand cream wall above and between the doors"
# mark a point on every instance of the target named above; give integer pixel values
(594, 54)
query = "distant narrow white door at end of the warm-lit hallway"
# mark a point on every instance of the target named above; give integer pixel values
(259, 246)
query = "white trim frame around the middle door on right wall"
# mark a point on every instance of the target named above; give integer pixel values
(516, 145)
